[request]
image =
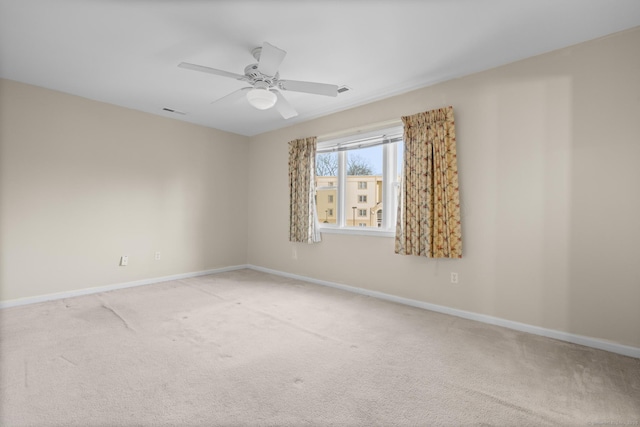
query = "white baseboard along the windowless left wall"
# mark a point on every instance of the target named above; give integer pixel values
(113, 287)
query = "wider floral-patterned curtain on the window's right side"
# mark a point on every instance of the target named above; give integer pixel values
(429, 209)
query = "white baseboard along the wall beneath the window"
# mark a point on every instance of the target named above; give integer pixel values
(523, 327)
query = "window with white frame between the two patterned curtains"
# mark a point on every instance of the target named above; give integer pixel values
(359, 175)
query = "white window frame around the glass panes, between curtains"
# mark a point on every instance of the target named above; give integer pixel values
(388, 137)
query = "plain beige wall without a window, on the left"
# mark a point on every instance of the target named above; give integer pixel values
(83, 183)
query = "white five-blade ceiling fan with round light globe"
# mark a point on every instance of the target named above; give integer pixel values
(265, 81)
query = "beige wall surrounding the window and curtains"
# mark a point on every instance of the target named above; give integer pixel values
(549, 159)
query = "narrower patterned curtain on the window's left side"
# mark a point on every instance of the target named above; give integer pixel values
(303, 218)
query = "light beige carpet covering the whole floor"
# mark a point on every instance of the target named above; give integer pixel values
(245, 348)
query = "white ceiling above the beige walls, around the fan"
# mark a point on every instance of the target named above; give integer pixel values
(125, 52)
